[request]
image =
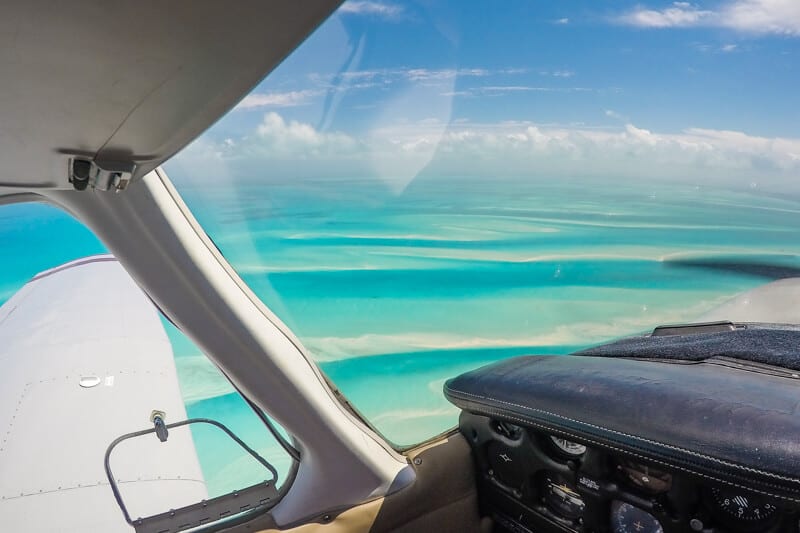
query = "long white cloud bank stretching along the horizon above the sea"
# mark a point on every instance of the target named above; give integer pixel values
(399, 152)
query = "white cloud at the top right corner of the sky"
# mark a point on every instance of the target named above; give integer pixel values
(752, 16)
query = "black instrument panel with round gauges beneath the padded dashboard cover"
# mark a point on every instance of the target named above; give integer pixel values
(538, 482)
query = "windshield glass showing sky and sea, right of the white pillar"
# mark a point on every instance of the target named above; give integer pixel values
(423, 187)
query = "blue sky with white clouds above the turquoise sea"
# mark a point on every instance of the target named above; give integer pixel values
(705, 92)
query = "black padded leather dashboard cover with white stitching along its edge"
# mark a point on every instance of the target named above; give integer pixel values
(714, 419)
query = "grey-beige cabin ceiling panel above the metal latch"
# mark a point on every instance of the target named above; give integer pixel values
(130, 81)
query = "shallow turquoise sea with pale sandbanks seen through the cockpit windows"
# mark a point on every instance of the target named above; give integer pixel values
(393, 290)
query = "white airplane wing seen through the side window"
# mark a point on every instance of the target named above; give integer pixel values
(84, 358)
